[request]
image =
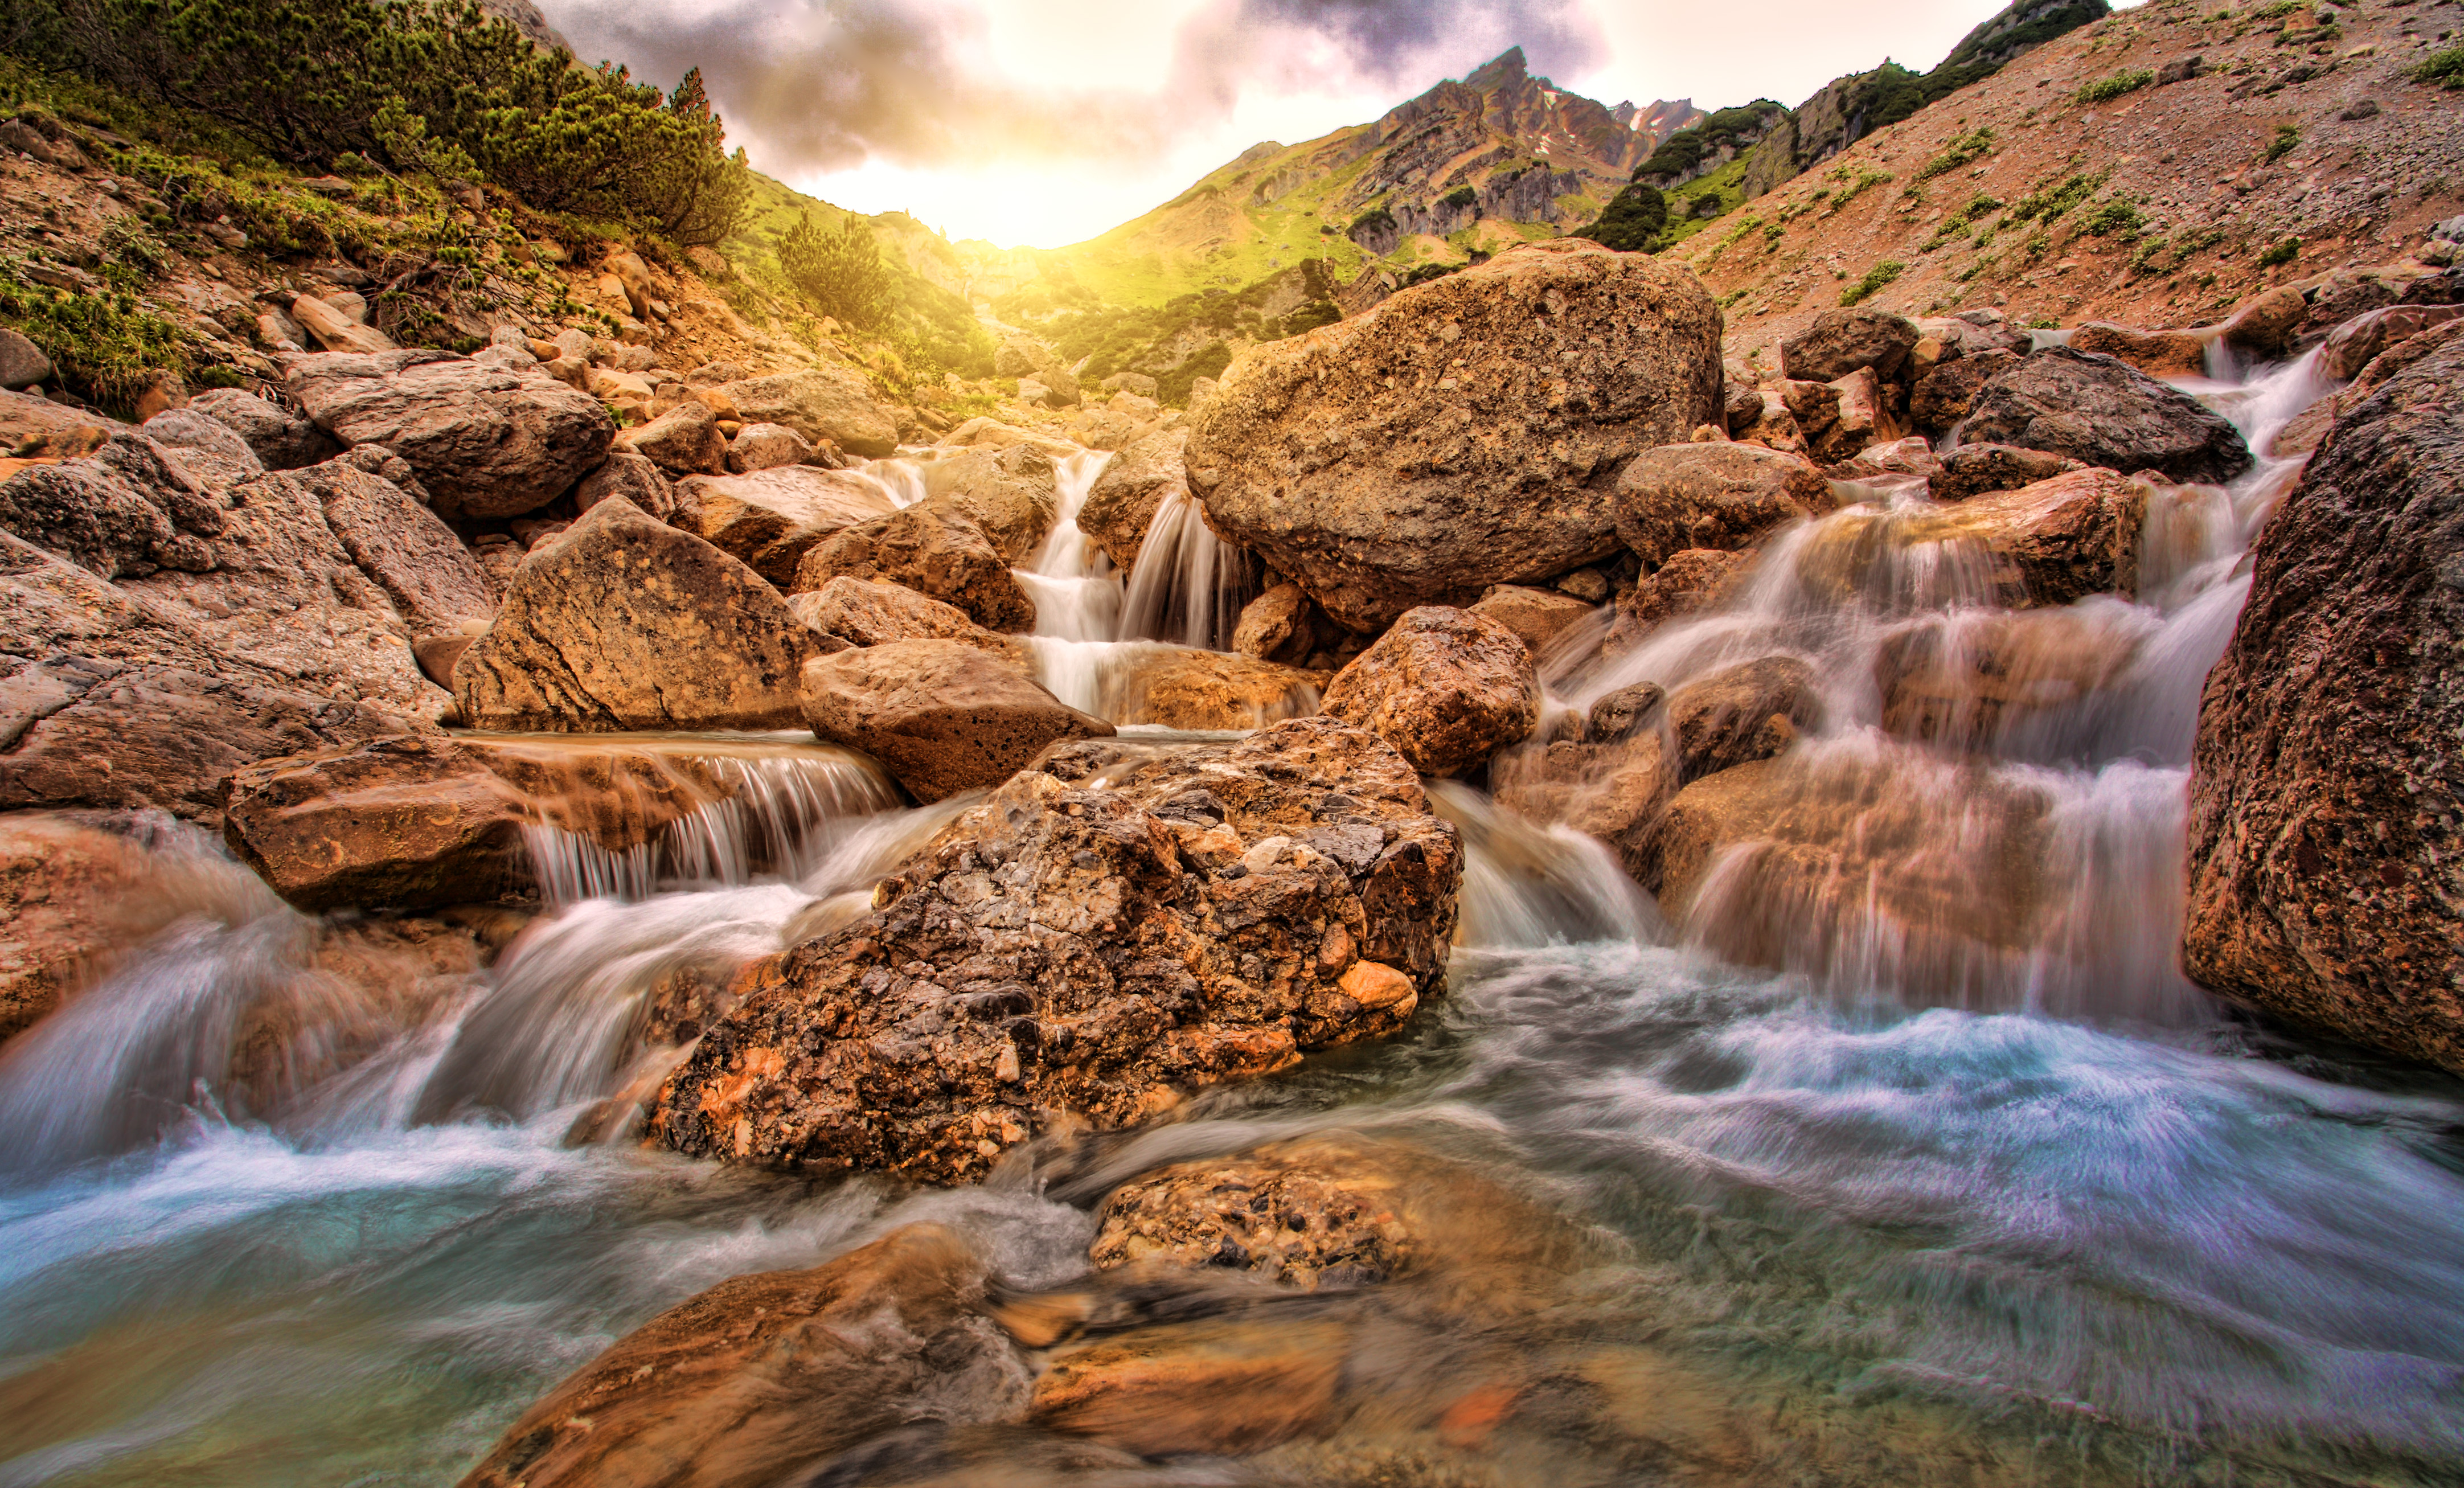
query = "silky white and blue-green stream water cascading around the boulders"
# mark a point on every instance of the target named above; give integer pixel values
(1903, 1189)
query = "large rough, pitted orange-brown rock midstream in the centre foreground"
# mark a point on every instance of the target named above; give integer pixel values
(1105, 932)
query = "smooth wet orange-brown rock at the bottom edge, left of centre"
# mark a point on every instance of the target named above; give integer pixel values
(760, 1378)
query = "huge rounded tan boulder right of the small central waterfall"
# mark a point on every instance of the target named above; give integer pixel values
(1467, 435)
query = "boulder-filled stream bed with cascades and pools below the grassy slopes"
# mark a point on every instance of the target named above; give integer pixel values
(1512, 896)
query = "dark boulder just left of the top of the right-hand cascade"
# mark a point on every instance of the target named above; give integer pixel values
(2105, 413)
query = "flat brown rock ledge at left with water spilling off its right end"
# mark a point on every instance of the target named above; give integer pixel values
(428, 822)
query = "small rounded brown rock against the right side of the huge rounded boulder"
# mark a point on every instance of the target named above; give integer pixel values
(1724, 496)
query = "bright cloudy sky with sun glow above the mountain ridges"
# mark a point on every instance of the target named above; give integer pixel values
(1048, 122)
